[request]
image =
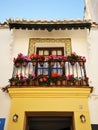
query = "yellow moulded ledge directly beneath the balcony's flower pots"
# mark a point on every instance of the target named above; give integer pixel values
(51, 92)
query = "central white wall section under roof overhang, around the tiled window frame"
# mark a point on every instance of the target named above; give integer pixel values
(21, 39)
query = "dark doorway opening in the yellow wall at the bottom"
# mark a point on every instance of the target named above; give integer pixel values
(49, 121)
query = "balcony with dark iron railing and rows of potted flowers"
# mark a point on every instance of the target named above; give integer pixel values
(62, 72)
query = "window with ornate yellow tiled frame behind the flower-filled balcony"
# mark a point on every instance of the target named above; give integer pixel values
(50, 47)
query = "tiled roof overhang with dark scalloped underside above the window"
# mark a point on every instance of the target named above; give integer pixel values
(48, 25)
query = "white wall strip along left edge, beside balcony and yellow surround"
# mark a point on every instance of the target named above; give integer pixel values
(5, 71)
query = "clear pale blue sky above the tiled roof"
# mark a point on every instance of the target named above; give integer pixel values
(41, 9)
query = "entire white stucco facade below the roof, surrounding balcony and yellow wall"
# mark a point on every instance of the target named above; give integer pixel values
(17, 40)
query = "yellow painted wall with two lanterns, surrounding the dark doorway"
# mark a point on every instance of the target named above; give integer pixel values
(49, 100)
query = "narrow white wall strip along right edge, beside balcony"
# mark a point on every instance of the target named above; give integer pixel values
(93, 68)
